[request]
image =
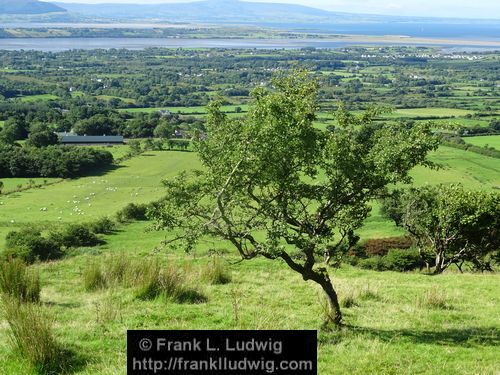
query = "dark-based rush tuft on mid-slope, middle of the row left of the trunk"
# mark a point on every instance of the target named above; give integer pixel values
(170, 285)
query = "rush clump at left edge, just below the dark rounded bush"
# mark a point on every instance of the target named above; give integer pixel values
(18, 282)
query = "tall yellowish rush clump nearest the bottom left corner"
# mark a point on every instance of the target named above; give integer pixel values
(31, 335)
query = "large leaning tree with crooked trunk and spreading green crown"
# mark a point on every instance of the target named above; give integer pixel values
(275, 186)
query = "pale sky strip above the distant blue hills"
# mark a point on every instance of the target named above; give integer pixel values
(426, 8)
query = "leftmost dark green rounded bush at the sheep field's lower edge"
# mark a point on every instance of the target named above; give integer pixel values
(29, 245)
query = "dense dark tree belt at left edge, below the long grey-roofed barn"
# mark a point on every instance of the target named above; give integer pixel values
(51, 161)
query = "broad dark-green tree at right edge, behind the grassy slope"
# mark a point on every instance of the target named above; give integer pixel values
(454, 224)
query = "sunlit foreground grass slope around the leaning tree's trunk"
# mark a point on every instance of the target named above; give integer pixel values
(400, 323)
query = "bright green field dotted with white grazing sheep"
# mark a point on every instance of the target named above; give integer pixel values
(136, 180)
